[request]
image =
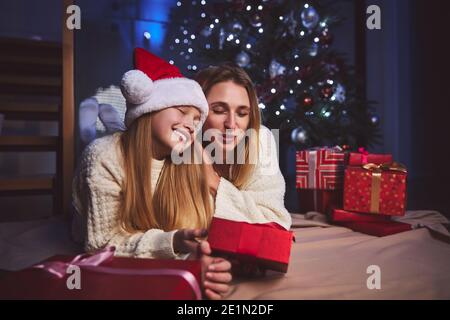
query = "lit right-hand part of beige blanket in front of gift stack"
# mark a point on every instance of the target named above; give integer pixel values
(329, 262)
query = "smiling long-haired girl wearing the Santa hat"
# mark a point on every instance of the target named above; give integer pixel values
(128, 191)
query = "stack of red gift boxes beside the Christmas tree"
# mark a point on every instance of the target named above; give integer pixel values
(357, 190)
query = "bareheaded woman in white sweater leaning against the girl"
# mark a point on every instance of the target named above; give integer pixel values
(251, 191)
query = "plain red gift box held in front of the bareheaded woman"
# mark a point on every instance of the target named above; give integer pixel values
(268, 245)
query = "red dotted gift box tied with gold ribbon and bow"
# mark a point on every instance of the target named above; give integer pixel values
(377, 189)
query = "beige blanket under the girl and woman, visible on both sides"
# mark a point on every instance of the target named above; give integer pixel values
(327, 262)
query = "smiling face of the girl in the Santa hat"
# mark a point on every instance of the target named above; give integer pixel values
(173, 128)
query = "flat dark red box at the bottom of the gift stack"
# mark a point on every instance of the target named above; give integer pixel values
(379, 229)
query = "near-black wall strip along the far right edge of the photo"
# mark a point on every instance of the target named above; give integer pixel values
(430, 108)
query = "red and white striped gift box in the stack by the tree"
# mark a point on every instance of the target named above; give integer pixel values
(321, 168)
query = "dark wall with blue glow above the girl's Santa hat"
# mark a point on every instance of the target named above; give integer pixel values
(110, 30)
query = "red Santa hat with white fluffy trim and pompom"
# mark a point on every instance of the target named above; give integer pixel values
(155, 84)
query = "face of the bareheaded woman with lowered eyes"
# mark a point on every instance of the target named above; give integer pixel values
(229, 114)
